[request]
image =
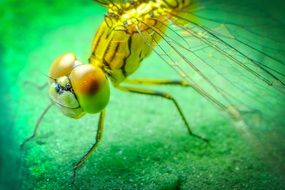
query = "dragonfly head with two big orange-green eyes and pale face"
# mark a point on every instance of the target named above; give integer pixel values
(77, 88)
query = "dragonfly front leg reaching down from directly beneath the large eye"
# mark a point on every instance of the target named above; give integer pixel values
(94, 146)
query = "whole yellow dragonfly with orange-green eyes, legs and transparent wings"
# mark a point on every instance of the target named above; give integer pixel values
(230, 53)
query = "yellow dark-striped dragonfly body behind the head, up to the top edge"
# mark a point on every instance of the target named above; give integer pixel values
(128, 35)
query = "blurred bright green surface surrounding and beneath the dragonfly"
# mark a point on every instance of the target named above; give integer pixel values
(145, 144)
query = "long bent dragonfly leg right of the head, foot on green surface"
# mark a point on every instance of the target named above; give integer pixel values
(166, 96)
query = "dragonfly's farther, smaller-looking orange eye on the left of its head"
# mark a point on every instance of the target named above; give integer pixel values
(63, 65)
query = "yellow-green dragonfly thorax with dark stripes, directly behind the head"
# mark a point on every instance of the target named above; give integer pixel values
(121, 44)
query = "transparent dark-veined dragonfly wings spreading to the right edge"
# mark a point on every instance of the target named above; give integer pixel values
(232, 52)
